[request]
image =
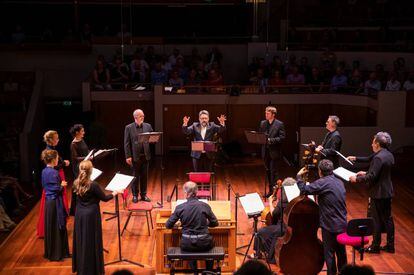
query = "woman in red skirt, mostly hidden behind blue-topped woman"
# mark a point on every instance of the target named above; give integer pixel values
(51, 138)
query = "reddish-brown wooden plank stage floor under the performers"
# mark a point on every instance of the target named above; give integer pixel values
(21, 252)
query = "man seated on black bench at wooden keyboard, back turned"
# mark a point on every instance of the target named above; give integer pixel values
(195, 217)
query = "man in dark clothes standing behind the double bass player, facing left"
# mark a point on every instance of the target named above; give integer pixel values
(332, 142)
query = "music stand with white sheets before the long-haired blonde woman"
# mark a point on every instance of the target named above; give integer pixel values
(120, 182)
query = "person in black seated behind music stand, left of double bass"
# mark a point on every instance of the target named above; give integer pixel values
(267, 236)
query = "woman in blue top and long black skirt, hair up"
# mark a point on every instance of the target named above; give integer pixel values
(56, 235)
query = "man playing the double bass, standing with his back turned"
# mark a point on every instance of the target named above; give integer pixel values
(332, 212)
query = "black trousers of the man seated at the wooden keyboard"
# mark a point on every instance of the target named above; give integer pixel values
(198, 245)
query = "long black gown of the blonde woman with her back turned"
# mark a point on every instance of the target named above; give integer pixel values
(87, 257)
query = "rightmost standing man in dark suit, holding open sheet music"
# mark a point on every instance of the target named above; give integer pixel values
(380, 190)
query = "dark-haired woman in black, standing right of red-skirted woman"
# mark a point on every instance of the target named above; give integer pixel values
(78, 151)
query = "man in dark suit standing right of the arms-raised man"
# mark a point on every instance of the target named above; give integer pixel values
(271, 152)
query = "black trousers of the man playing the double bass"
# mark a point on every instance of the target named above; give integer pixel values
(331, 248)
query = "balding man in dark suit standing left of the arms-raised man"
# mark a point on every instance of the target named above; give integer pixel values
(138, 154)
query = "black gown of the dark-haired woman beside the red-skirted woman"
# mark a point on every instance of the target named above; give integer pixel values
(78, 151)
